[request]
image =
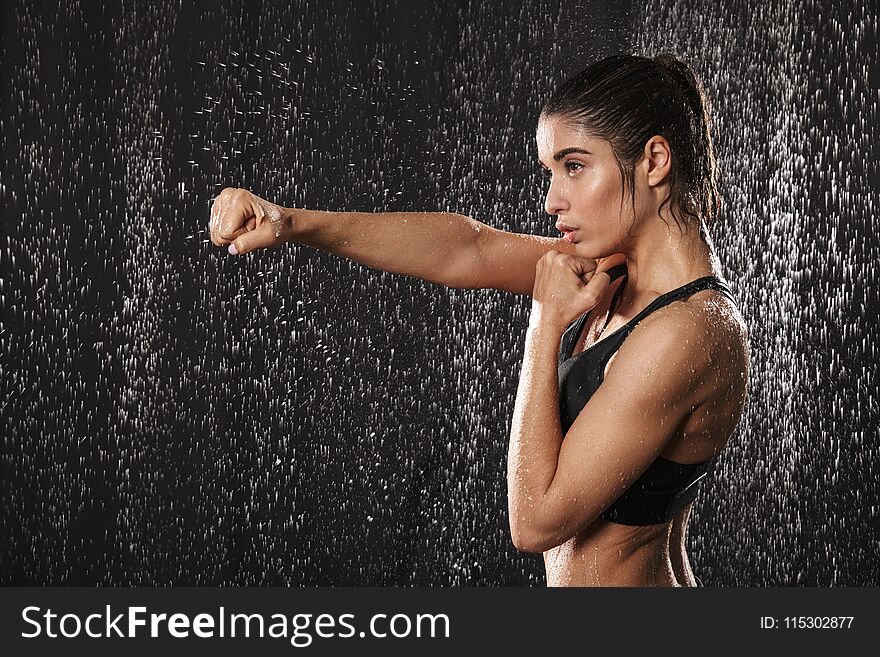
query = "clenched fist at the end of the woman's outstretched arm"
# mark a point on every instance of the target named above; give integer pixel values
(246, 222)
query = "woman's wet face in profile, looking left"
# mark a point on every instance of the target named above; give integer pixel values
(585, 188)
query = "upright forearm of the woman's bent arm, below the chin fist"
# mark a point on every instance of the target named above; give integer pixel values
(535, 437)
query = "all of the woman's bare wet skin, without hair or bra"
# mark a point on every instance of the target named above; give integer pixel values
(679, 398)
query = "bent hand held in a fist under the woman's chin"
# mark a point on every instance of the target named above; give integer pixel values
(566, 286)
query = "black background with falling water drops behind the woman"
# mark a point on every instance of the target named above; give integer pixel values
(172, 415)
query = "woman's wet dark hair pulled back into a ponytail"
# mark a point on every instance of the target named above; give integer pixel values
(626, 100)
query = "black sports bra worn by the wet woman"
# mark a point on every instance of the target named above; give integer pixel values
(666, 486)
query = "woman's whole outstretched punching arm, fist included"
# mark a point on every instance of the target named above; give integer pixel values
(441, 247)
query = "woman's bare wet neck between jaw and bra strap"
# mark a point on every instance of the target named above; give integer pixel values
(663, 257)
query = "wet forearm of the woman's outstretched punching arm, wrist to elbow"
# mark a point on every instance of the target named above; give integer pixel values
(440, 247)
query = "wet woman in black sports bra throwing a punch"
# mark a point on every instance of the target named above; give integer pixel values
(636, 360)
